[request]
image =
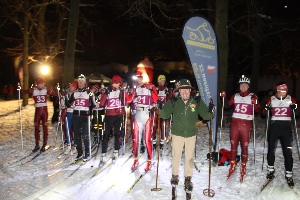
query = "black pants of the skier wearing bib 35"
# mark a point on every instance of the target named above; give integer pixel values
(80, 127)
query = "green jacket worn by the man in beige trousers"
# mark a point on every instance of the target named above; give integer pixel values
(184, 124)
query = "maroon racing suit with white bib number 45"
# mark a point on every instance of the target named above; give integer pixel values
(241, 123)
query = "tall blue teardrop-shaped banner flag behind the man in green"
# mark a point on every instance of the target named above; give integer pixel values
(201, 44)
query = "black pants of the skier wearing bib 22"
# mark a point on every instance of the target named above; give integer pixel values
(280, 131)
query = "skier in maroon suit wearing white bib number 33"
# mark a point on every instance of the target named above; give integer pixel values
(39, 94)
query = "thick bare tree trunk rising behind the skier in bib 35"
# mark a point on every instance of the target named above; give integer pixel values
(69, 59)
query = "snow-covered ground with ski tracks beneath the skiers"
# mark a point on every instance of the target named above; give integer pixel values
(32, 181)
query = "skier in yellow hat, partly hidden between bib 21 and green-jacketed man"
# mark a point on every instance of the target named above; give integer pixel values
(164, 95)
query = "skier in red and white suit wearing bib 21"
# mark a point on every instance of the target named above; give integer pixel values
(146, 97)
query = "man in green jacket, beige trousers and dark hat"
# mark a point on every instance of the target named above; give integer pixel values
(185, 110)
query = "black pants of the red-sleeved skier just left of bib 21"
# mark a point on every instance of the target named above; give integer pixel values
(111, 122)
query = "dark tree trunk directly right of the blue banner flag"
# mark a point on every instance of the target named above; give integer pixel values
(222, 36)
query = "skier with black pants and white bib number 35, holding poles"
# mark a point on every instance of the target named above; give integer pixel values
(82, 102)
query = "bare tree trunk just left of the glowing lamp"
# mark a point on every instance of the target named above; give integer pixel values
(25, 53)
